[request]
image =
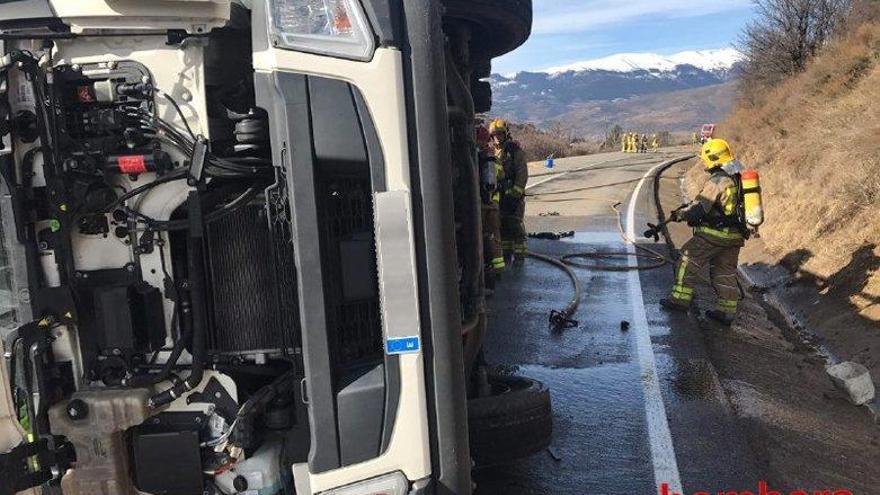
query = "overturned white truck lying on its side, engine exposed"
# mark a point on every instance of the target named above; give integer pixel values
(229, 268)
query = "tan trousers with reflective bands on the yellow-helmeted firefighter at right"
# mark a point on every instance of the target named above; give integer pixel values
(721, 260)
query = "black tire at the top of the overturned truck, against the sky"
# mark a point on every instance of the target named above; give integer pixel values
(502, 25)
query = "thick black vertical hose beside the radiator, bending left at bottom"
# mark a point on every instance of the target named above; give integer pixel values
(196, 289)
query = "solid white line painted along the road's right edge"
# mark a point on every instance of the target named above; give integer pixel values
(659, 436)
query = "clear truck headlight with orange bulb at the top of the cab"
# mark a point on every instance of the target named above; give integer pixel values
(329, 27)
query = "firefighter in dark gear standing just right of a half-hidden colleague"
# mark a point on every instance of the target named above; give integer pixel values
(512, 159)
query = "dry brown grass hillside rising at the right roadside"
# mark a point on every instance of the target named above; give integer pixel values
(816, 141)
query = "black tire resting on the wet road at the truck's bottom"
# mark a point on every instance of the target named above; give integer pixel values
(515, 422)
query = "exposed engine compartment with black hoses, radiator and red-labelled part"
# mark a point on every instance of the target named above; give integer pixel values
(157, 338)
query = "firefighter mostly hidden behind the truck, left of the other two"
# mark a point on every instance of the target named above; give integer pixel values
(491, 174)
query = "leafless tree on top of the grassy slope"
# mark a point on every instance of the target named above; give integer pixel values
(785, 35)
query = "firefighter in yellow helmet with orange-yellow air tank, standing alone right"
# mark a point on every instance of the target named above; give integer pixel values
(719, 233)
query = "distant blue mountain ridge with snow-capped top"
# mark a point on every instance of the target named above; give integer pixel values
(553, 95)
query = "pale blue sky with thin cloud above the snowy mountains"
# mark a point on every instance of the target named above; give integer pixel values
(567, 31)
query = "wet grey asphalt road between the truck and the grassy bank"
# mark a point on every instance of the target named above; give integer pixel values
(634, 408)
